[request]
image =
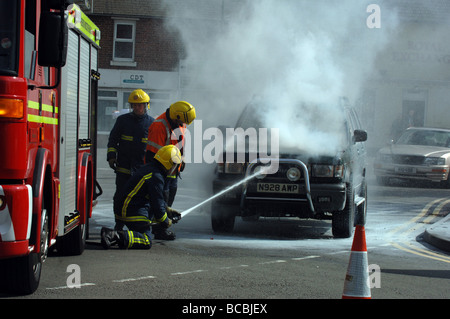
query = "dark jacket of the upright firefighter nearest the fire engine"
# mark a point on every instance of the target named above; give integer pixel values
(127, 141)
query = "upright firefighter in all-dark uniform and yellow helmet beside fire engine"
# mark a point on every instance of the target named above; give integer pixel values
(128, 139)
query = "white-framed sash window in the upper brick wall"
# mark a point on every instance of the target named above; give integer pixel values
(124, 42)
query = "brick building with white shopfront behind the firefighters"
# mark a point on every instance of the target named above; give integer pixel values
(137, 51)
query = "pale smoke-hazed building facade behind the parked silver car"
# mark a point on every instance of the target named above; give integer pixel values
(411, 83)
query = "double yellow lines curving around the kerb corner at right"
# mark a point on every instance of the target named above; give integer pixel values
(427, 214)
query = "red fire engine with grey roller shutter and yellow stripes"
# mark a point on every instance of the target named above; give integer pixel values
(48, 105)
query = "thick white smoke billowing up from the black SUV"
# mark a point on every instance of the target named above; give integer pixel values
(299, 56)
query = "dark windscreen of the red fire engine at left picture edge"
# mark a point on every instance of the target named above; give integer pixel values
(9, 37)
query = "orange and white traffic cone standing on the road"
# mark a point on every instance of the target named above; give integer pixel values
(356, 285)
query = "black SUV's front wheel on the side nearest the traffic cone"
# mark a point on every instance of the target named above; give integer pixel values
(343, 221)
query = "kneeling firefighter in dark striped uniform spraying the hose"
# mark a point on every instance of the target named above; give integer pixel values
(141, 204)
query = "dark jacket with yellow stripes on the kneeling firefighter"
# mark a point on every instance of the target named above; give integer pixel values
(141, 200)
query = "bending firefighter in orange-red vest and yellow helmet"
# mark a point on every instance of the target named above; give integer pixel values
(169, 128)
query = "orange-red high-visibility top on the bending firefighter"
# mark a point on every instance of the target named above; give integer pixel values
(162, 132)
